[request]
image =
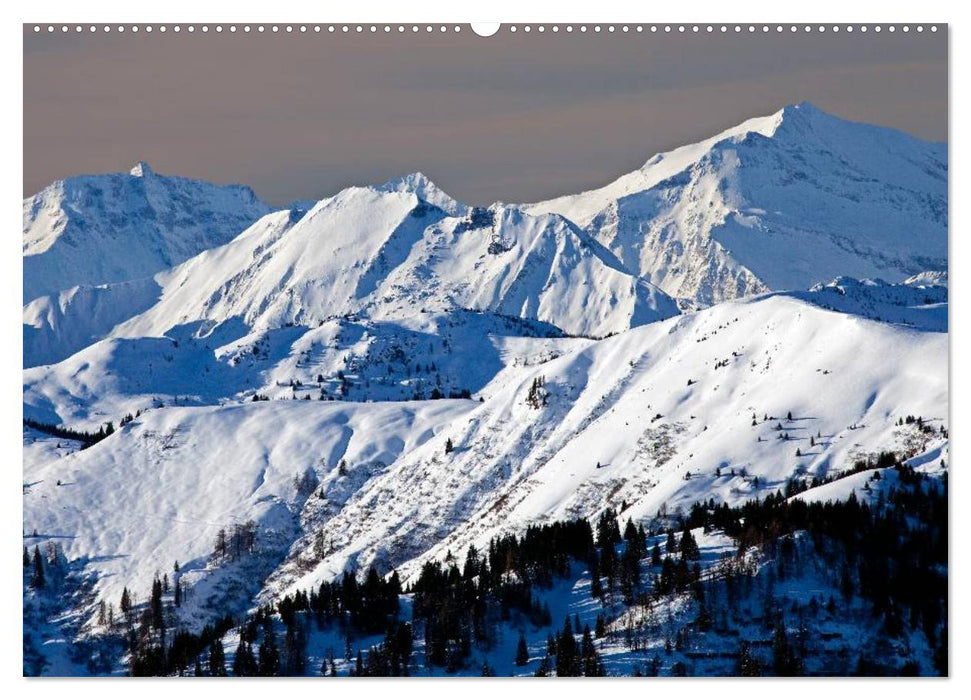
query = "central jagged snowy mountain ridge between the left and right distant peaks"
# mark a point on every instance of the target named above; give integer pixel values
(382, 252)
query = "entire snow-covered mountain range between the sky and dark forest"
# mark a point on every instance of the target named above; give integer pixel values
(388, 376)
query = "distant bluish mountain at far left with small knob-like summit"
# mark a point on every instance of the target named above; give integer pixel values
(95, 229)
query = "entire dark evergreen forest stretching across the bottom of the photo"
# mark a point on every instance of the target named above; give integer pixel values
(887, 557)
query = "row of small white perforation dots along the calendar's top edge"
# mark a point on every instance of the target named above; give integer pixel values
(527, 28)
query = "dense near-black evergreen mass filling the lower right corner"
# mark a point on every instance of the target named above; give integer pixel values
(891, 553)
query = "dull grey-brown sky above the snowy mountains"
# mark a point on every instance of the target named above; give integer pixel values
(513, 117)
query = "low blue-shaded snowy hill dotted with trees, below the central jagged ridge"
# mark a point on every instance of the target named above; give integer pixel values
(426, 356)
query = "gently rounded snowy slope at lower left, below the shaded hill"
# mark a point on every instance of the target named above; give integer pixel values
(159, 490)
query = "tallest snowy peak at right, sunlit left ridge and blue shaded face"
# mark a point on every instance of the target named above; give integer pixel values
(781, 202)
